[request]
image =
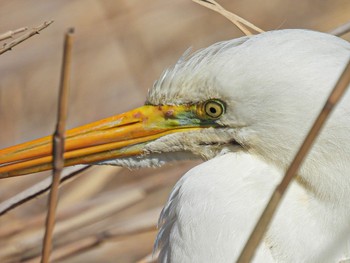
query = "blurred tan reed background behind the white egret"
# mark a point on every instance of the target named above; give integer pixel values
(109, 214)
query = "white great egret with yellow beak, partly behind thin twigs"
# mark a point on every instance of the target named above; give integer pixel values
(247, 103)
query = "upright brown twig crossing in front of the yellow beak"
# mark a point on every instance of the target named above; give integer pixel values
(58, 145)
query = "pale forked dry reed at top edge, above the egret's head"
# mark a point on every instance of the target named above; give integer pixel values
(238, 21)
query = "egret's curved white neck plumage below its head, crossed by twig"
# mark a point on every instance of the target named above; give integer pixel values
(213, 208)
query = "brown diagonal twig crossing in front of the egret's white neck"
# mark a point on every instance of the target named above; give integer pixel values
(260, 228)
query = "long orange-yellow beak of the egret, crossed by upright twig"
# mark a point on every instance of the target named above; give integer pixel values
(111, 138)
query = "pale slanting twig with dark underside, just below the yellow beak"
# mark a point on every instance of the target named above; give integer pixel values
(35, 191)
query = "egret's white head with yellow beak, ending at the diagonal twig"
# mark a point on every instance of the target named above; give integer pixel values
(257, 94)
